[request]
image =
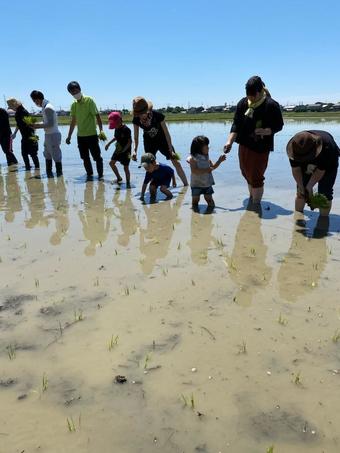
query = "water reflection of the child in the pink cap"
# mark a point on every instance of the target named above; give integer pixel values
(127, 216)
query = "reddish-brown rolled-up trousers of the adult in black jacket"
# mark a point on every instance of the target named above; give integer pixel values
(253, 165)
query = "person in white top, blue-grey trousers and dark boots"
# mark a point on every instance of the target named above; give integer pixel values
(52, 150)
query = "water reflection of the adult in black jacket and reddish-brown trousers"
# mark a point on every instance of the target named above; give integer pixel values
(247, 263)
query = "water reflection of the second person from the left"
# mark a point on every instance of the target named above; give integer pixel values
(35, 202)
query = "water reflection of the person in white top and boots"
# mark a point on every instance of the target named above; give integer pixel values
(58, 196)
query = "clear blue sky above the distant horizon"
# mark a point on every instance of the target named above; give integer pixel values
(175, 52)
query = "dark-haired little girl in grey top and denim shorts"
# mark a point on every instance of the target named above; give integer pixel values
(201, 171)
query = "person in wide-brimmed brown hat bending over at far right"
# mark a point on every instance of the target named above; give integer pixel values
(314, 158)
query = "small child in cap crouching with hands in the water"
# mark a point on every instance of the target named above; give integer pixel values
(158, 175)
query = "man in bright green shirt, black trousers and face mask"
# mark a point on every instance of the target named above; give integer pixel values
(84, 114)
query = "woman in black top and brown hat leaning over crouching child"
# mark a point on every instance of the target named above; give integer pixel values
(156, 134)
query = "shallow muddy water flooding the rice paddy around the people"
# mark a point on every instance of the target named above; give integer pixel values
(225, 326)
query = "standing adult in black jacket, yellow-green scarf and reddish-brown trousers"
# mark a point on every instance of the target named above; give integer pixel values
(257, 118)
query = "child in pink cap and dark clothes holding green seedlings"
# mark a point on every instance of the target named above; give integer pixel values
(122, 153)
